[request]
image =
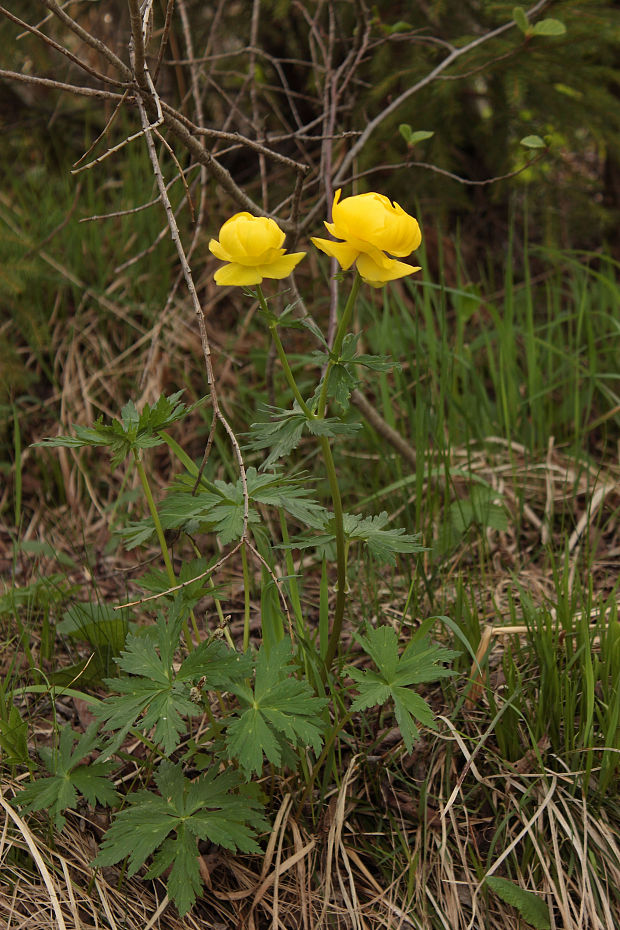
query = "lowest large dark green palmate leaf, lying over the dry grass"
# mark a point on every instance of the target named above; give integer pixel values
(215, 807)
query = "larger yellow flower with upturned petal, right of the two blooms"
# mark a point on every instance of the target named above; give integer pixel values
(373, 228)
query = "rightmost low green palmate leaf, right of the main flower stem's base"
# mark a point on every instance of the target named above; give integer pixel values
(395, 675)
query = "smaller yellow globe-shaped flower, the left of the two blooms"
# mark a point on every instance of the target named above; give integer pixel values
(252, 247)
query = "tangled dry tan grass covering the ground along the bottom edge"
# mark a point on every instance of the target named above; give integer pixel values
(329, 879)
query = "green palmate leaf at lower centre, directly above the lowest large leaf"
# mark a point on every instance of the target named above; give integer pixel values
(279, 707)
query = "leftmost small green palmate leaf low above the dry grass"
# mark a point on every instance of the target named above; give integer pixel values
(69, 777)
